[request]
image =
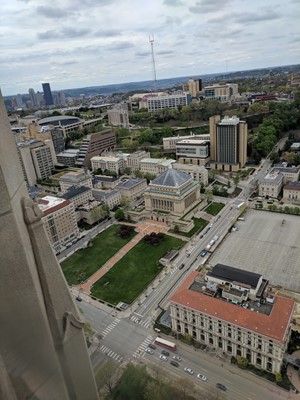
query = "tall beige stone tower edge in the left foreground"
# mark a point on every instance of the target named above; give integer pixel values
(43, 353)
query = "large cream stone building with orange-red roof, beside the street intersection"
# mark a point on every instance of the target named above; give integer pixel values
(259, 330)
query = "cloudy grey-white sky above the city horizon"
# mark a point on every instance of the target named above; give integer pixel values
(78, 43)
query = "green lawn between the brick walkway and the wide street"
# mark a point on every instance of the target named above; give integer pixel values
(135, 271)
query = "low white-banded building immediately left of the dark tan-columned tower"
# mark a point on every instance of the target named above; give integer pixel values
(191, 151)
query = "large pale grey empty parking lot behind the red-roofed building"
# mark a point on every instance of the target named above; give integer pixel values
(266, 243)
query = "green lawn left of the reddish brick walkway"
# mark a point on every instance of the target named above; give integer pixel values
(82, 264)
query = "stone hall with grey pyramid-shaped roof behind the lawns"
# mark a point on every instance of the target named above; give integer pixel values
(174, 192)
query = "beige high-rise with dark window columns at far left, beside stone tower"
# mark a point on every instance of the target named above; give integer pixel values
(37, 160)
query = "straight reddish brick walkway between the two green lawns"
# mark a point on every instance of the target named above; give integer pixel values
(143, 228)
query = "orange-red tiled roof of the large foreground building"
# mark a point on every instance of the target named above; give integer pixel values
(274, 325)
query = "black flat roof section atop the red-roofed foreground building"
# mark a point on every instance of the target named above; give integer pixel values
(231, 274)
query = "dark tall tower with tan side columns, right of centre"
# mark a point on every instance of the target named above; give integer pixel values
(228, 143)
